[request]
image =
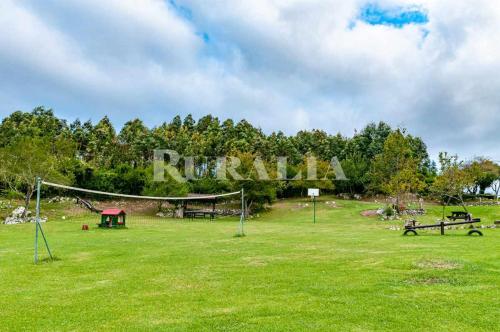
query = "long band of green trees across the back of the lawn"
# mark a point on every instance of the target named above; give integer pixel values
(376, 160)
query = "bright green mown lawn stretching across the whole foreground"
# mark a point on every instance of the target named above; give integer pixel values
(346, 273)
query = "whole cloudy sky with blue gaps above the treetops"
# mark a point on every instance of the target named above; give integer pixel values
(432, 66)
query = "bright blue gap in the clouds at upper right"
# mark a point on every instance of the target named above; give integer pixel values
(397, 17)
